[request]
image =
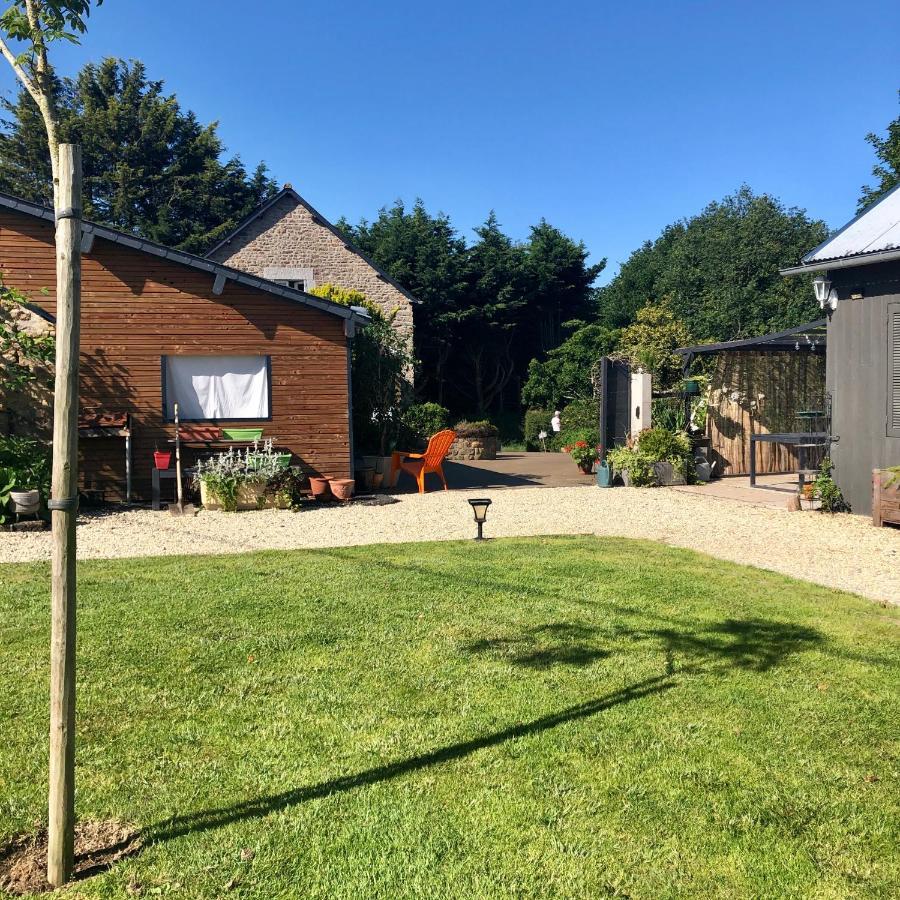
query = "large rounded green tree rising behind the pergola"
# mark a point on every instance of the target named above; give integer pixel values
(719, 270)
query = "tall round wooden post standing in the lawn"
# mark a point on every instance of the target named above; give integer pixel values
(61, 818)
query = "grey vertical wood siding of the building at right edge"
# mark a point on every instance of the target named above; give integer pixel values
(858, 377)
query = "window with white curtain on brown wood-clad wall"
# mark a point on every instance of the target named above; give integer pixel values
(216, 388)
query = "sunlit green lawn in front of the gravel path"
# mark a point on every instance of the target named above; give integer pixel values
(564, 717)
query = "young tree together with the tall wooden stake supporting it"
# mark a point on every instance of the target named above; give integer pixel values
(33, 25)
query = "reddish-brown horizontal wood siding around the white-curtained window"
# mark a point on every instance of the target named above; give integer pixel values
(137, 308)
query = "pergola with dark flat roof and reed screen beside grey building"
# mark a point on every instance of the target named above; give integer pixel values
(765, 387)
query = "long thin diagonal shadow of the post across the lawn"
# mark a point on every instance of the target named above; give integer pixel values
(206, 820)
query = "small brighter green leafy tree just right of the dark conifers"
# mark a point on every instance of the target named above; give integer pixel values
(565, 375)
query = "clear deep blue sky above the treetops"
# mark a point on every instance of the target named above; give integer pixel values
(609, 119)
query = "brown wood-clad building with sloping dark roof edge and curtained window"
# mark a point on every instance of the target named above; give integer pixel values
(160, 326)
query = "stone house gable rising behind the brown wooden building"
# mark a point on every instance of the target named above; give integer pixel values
(287, 241)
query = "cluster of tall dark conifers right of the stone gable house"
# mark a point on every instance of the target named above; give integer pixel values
(487, 308)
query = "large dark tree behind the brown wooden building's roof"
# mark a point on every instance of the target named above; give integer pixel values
(149, 167)
